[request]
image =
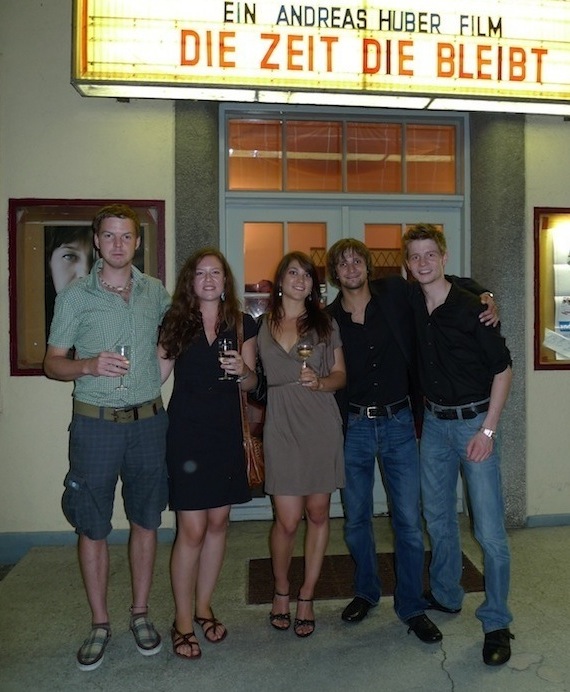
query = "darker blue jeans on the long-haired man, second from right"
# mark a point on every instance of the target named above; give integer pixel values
(393, 441)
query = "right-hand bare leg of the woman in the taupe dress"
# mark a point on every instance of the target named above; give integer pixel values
(316, 541)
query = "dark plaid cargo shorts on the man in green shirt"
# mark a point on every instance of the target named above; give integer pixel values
(102, 451)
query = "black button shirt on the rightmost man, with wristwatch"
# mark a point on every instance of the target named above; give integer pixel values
(458, 355)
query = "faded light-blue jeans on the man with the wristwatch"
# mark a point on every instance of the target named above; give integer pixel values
(442, 454)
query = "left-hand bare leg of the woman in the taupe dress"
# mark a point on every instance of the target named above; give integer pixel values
(288, 515)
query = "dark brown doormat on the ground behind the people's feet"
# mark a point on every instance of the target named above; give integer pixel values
(337, 576)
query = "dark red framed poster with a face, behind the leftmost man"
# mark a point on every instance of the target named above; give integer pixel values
(51, 244)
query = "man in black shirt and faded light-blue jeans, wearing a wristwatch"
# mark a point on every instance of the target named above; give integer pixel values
(465, 374)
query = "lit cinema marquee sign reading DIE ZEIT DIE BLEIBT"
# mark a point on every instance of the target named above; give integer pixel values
(510, 49)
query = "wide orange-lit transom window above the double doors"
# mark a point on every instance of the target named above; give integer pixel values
(289, 154)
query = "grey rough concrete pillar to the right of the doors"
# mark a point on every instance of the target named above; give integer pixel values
(497, 229)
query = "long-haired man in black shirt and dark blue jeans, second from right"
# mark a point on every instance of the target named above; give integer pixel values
(376, 324)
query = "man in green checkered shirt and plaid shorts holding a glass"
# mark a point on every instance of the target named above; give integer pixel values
(119, 423)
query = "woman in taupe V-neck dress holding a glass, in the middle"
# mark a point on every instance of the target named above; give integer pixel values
(303, 439)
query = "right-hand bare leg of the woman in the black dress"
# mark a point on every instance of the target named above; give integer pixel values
(211, 560)
